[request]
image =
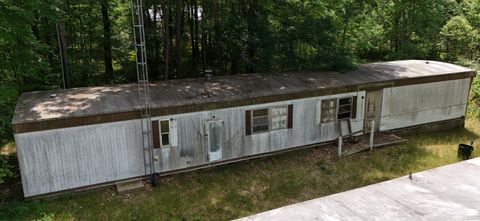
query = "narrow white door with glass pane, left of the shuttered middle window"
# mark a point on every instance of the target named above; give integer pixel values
(214, 134)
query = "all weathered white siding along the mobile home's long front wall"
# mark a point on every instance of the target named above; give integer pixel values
(68, 158)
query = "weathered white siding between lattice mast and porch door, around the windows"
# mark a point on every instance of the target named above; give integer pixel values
(192, 149)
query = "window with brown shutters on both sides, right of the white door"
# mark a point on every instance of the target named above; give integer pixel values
(268, 119)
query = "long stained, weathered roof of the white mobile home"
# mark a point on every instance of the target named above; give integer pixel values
(90, 101)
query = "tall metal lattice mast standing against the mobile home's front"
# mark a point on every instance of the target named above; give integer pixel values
(143, 85)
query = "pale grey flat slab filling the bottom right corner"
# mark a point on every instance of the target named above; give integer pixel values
(446, 193)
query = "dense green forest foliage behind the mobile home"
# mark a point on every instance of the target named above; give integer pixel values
(231, 36)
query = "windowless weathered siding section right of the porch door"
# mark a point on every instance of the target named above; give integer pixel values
(423, 103)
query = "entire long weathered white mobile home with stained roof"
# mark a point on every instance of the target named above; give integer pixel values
(91, 136)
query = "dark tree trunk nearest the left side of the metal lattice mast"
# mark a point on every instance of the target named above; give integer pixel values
(107, 42)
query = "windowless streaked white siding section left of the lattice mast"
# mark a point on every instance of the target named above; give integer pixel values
(67, 158)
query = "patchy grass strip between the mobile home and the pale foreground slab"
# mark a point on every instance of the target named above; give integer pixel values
(253, 186)
